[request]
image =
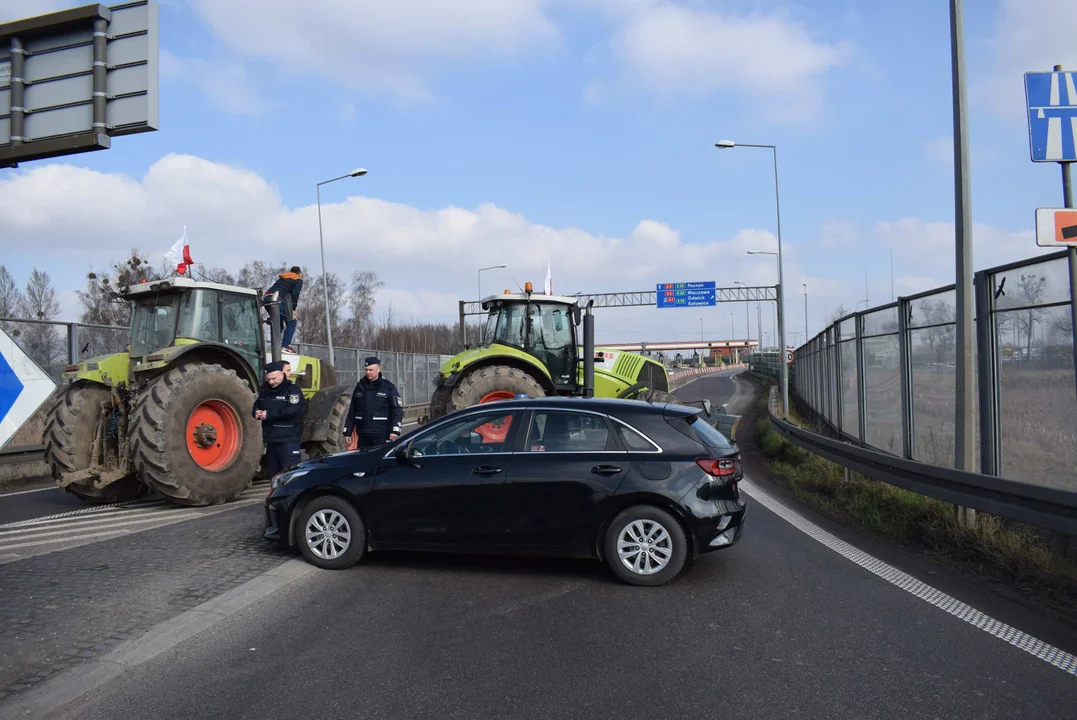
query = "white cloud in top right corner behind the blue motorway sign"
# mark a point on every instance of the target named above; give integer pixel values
(1030, 35)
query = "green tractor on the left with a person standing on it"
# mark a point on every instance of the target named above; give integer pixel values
(174, 413)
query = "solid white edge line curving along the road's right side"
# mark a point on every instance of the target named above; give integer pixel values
(1048, 654)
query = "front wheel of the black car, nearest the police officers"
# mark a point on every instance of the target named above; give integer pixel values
(331, 534)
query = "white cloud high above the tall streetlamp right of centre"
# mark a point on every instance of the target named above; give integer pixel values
(672, 49)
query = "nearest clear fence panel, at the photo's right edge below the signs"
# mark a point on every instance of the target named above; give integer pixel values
(1038, 407)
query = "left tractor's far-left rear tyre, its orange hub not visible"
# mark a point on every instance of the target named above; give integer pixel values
(71, 428)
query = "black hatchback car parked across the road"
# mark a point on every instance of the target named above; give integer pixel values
(640, 486)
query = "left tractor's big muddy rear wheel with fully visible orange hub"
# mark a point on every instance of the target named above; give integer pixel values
(193, 437)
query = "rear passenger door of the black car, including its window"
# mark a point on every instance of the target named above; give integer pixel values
(570, 462)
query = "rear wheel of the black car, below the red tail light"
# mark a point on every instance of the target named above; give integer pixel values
(663, 560)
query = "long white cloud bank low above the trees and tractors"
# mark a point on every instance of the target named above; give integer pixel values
(428, 259)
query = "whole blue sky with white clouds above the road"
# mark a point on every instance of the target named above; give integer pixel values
(575, 133)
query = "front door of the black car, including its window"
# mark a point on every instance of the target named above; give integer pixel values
(442, 496)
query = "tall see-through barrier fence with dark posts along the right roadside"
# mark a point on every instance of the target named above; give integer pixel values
(886, 378)
